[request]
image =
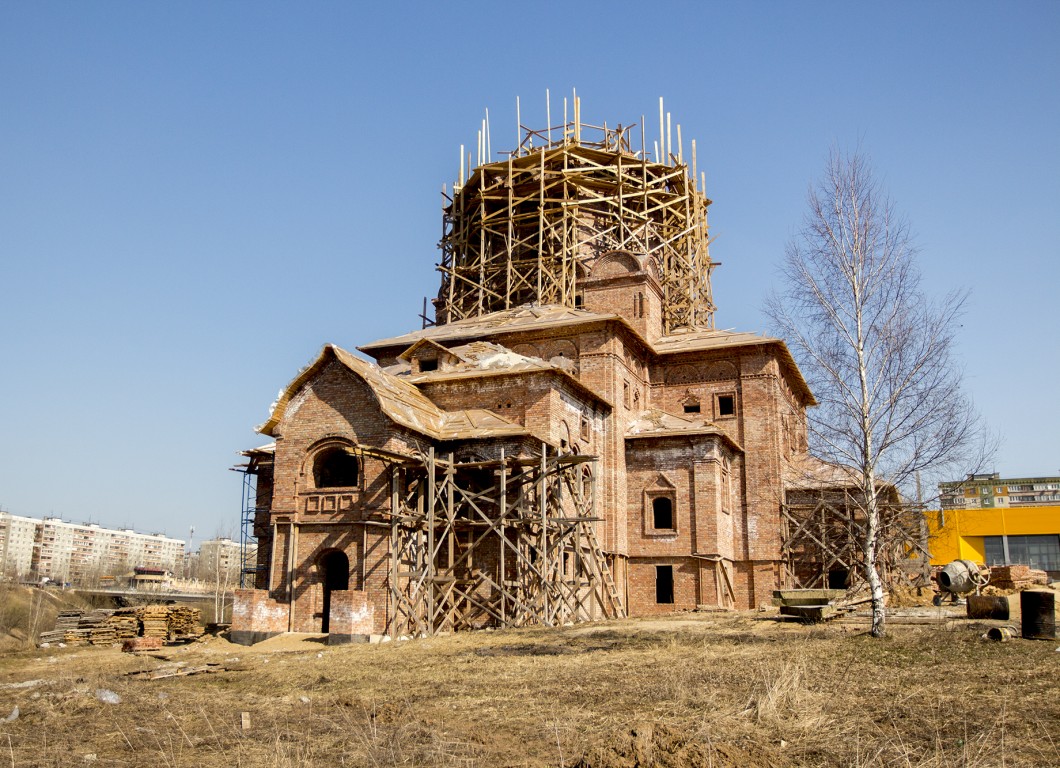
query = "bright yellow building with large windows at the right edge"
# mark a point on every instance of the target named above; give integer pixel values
(997, 537)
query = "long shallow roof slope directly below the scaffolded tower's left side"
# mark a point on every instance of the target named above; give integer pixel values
(522, 318)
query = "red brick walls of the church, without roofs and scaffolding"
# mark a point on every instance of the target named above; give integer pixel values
(711, 521)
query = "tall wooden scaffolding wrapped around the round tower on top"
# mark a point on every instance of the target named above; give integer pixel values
(528, 228)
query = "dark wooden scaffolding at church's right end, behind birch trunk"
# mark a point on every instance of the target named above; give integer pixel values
(822, 533)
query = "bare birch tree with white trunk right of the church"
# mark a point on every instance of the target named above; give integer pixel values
(877, 352)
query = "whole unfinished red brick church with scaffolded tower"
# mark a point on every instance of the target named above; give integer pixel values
(571, 439)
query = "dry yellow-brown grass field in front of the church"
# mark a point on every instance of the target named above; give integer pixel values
(693, 690)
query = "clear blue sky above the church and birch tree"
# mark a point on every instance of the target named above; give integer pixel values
(196, 198)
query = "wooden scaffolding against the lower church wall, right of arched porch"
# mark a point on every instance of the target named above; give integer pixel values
(505, 543)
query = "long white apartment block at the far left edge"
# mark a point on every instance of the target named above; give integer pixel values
(70, 552)
